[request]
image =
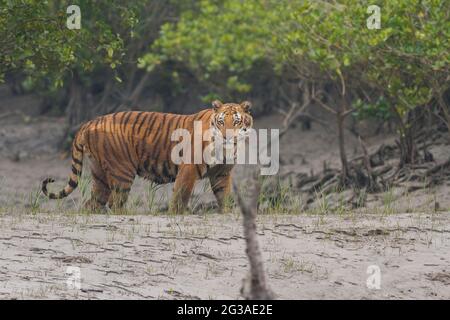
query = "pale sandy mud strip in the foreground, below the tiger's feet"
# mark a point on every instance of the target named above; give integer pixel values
(202, 256)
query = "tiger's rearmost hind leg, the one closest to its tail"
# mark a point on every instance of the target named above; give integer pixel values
(100, 189)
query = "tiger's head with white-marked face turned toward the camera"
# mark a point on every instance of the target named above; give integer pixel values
(233, 119)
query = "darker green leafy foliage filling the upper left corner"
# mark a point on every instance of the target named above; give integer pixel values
(35, 40)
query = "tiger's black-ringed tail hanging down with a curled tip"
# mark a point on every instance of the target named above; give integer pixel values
(77, 165)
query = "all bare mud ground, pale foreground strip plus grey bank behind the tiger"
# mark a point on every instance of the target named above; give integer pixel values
(203, 256)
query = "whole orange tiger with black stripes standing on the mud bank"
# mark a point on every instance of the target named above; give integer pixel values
(123, 145)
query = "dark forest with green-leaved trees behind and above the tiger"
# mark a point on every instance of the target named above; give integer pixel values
(287, 57)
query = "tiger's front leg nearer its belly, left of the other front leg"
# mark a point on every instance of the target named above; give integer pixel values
(184, 184)
